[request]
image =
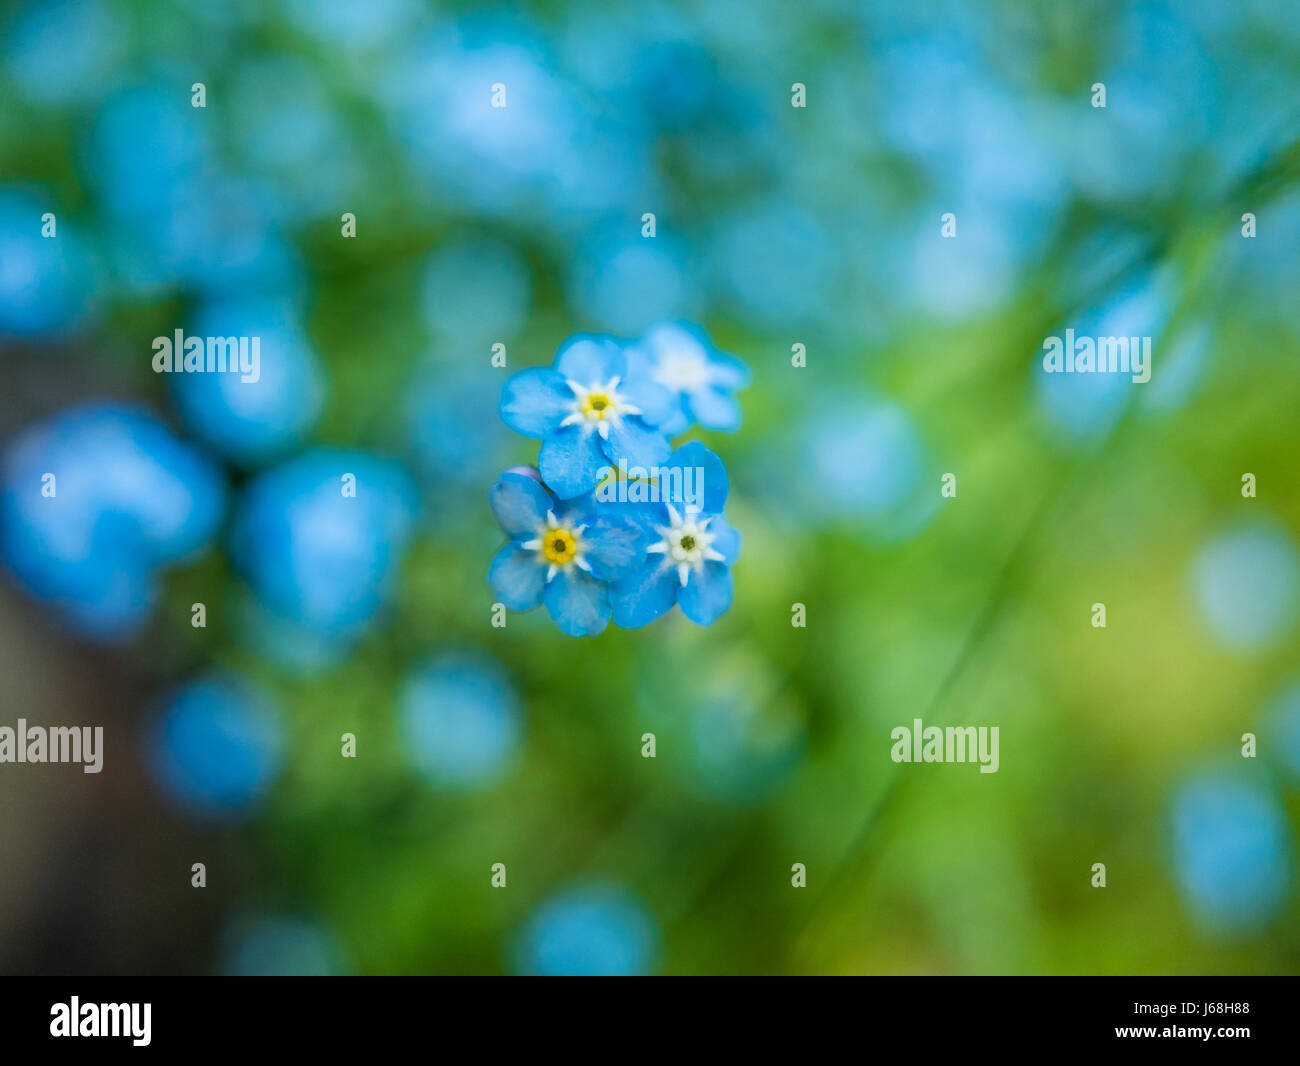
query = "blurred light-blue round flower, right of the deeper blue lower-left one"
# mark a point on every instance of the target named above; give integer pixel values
(461, 721)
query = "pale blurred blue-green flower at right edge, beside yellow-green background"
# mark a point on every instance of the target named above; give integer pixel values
(1246, 583)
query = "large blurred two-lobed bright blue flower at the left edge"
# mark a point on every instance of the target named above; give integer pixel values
(127, 501)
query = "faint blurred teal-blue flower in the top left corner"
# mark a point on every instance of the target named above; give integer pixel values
(63, 53)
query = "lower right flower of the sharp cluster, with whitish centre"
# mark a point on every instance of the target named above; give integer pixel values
(686, 548)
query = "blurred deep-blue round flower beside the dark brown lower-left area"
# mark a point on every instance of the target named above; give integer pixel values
(218, 748)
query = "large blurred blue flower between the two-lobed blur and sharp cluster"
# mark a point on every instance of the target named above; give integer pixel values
(319, 539)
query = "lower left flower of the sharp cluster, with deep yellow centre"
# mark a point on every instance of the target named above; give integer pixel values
(561, 553)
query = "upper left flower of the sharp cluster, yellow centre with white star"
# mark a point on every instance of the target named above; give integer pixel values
(591, 411)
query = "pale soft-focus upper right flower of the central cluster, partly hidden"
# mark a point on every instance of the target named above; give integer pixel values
(704, 383)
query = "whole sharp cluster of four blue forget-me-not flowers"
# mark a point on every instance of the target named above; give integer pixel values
(614, 522)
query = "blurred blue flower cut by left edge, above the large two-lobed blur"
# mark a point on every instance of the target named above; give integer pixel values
(45, 281)
